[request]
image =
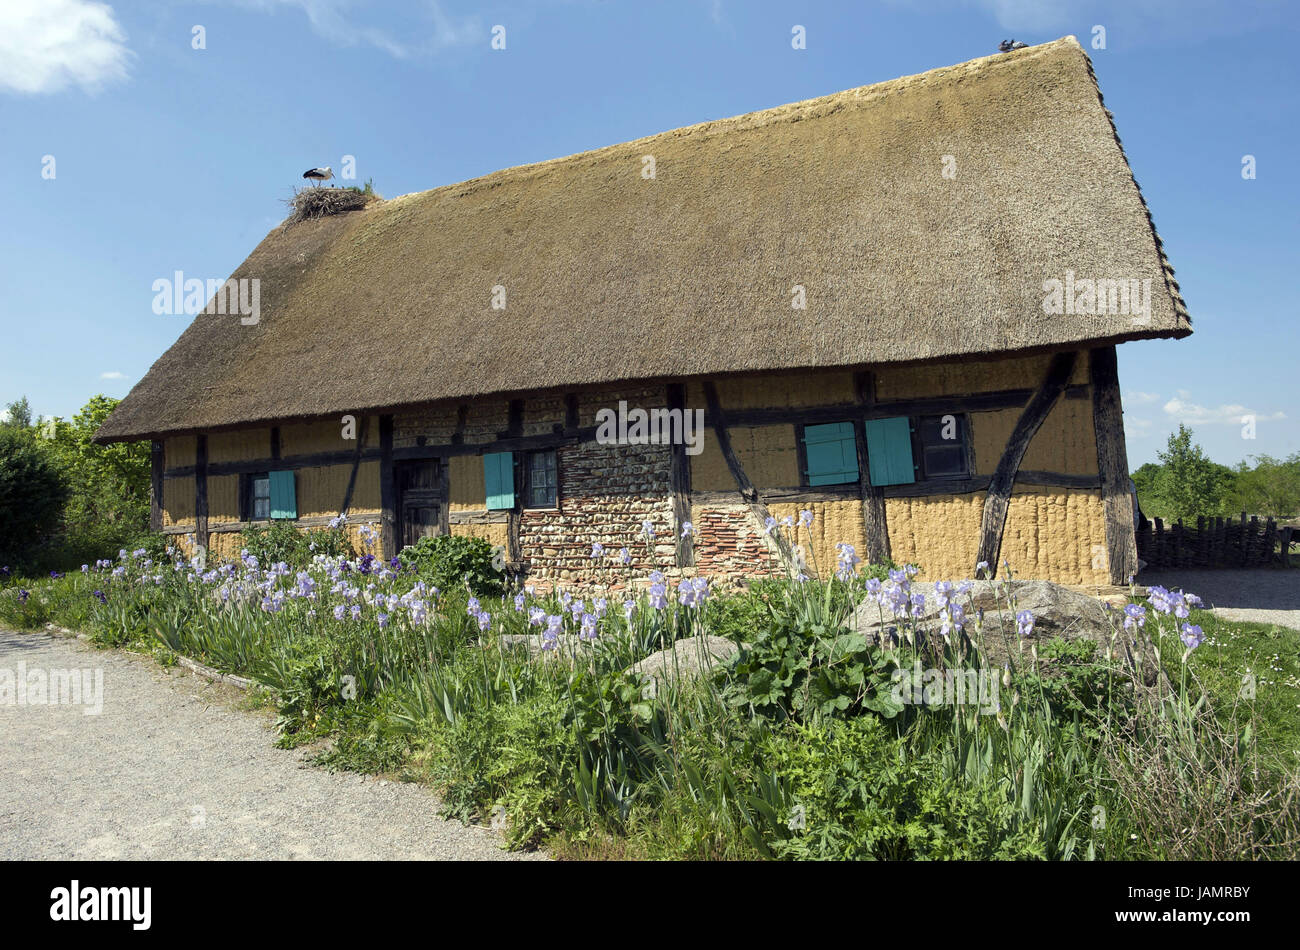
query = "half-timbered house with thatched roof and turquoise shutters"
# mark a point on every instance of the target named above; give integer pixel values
(896, 307)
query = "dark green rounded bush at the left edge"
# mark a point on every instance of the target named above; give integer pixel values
(32, 493)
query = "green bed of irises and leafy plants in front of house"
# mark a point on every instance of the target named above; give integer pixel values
(813, 758)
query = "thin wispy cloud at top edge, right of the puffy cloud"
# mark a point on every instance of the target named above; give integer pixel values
(331, 20)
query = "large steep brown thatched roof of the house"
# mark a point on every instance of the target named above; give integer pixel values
(610, 276)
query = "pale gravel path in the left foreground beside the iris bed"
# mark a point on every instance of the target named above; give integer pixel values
(171, 770)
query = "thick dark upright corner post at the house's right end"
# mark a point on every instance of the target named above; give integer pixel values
(1108, 420)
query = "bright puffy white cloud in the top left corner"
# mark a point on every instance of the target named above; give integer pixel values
(50, 45)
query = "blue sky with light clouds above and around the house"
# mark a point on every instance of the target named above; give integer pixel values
(168, 158)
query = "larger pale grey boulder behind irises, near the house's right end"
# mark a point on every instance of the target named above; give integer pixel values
(991, 609)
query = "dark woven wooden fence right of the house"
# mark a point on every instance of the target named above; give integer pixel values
(1216, 544)
